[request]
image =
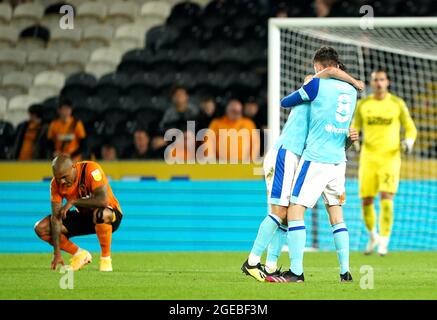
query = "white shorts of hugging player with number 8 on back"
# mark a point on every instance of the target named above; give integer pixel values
(319, 179)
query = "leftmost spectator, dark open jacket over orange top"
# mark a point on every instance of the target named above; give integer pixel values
(30, 142)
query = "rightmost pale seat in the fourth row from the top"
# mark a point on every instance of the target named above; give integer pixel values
(46, 84)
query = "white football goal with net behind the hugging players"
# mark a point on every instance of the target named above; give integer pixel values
(407, 49)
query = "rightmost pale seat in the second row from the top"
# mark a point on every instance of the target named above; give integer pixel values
(130, 36)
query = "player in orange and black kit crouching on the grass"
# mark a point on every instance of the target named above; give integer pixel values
(90, 208)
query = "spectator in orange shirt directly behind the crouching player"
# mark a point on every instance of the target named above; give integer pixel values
(67, 134)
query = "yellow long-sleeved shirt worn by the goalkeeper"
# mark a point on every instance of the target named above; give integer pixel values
(381, 122)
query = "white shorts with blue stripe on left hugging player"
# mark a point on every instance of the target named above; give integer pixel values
(279, 168)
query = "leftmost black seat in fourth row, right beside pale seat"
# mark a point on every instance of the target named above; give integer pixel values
(79, 86)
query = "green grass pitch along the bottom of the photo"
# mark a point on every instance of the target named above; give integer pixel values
(179, 276)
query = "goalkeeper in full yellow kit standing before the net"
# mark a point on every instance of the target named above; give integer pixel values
(380, 117)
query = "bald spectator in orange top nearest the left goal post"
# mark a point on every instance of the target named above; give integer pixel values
(247, 136)
